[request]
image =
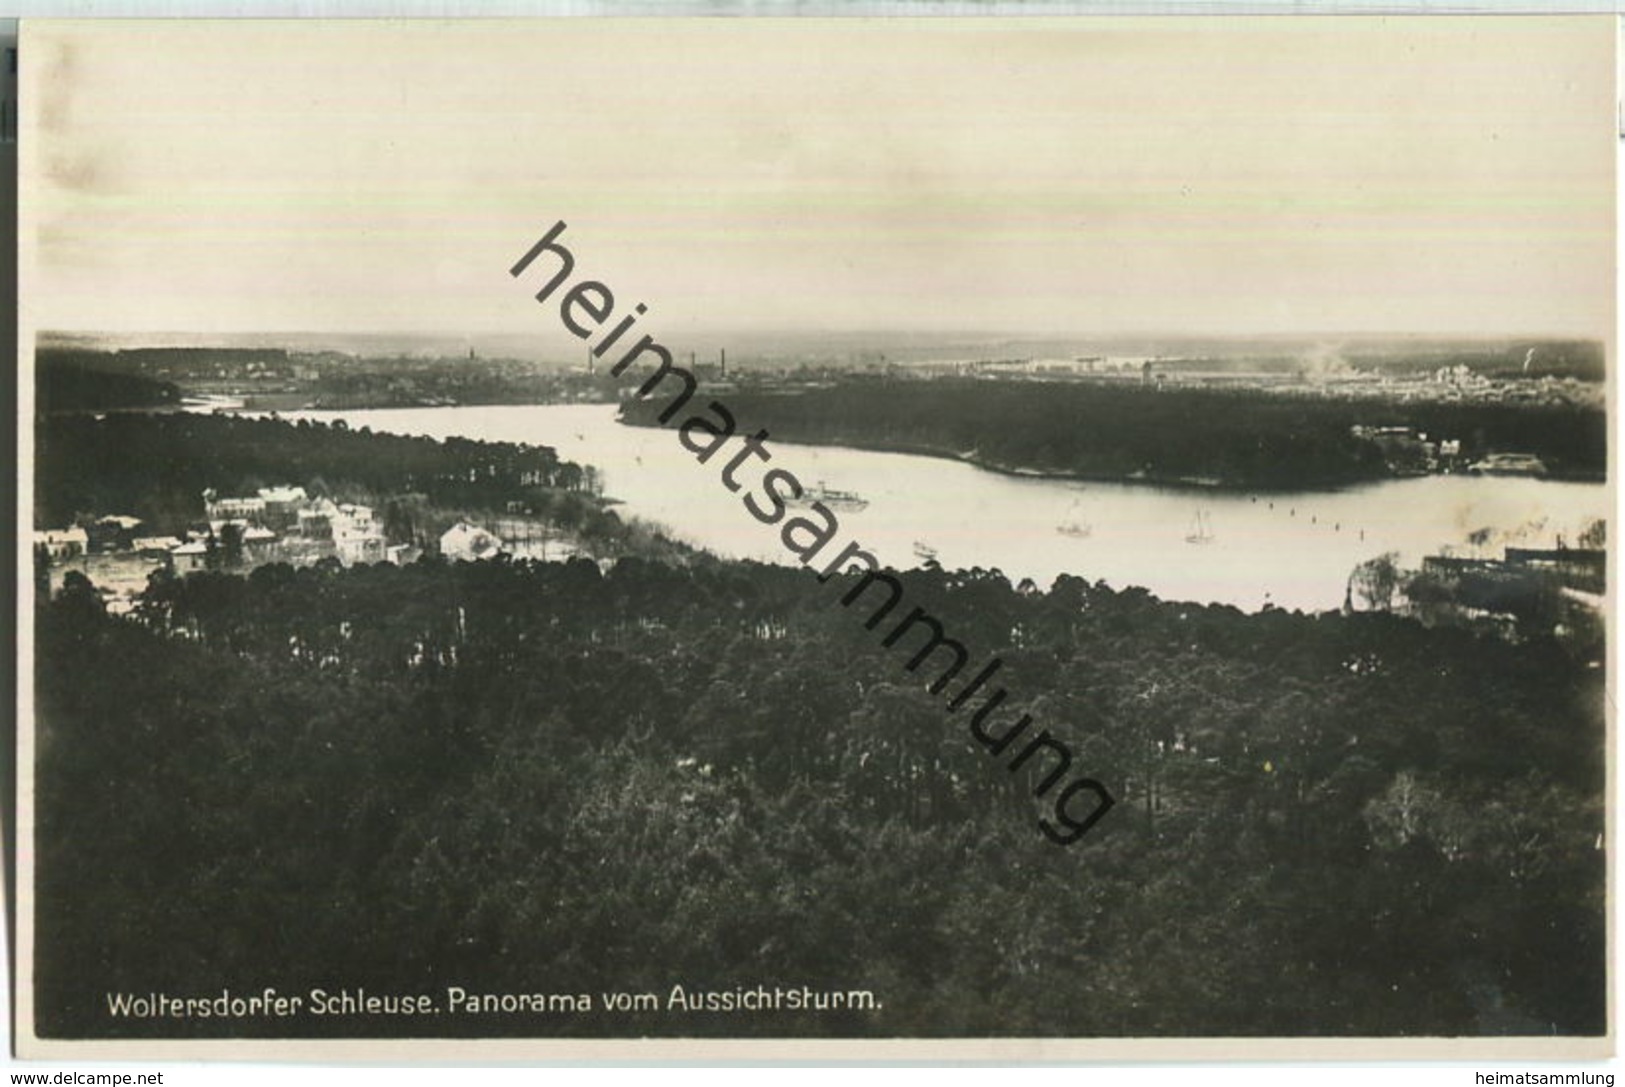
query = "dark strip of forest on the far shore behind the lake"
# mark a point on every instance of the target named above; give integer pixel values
(1098, 431)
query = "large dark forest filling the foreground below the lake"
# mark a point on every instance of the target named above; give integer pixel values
(547, 777)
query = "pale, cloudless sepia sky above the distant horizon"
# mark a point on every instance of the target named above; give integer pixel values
(1174, 176)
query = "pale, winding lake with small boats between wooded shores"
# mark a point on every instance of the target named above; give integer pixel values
(1246, 550)
